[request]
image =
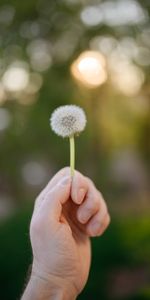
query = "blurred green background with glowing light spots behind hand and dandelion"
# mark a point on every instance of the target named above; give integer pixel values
(44, 64)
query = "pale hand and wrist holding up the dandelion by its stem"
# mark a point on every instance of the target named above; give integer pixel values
(66, 214)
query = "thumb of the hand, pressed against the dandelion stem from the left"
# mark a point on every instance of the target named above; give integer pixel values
(55, 198)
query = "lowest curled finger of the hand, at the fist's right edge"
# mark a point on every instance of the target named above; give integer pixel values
(97, 225)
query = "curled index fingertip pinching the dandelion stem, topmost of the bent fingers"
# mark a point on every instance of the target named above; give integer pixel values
(79, 187)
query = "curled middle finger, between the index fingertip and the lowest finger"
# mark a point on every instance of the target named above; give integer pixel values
(91, 205)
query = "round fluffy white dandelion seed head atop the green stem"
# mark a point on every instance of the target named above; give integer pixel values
(68, 120)
